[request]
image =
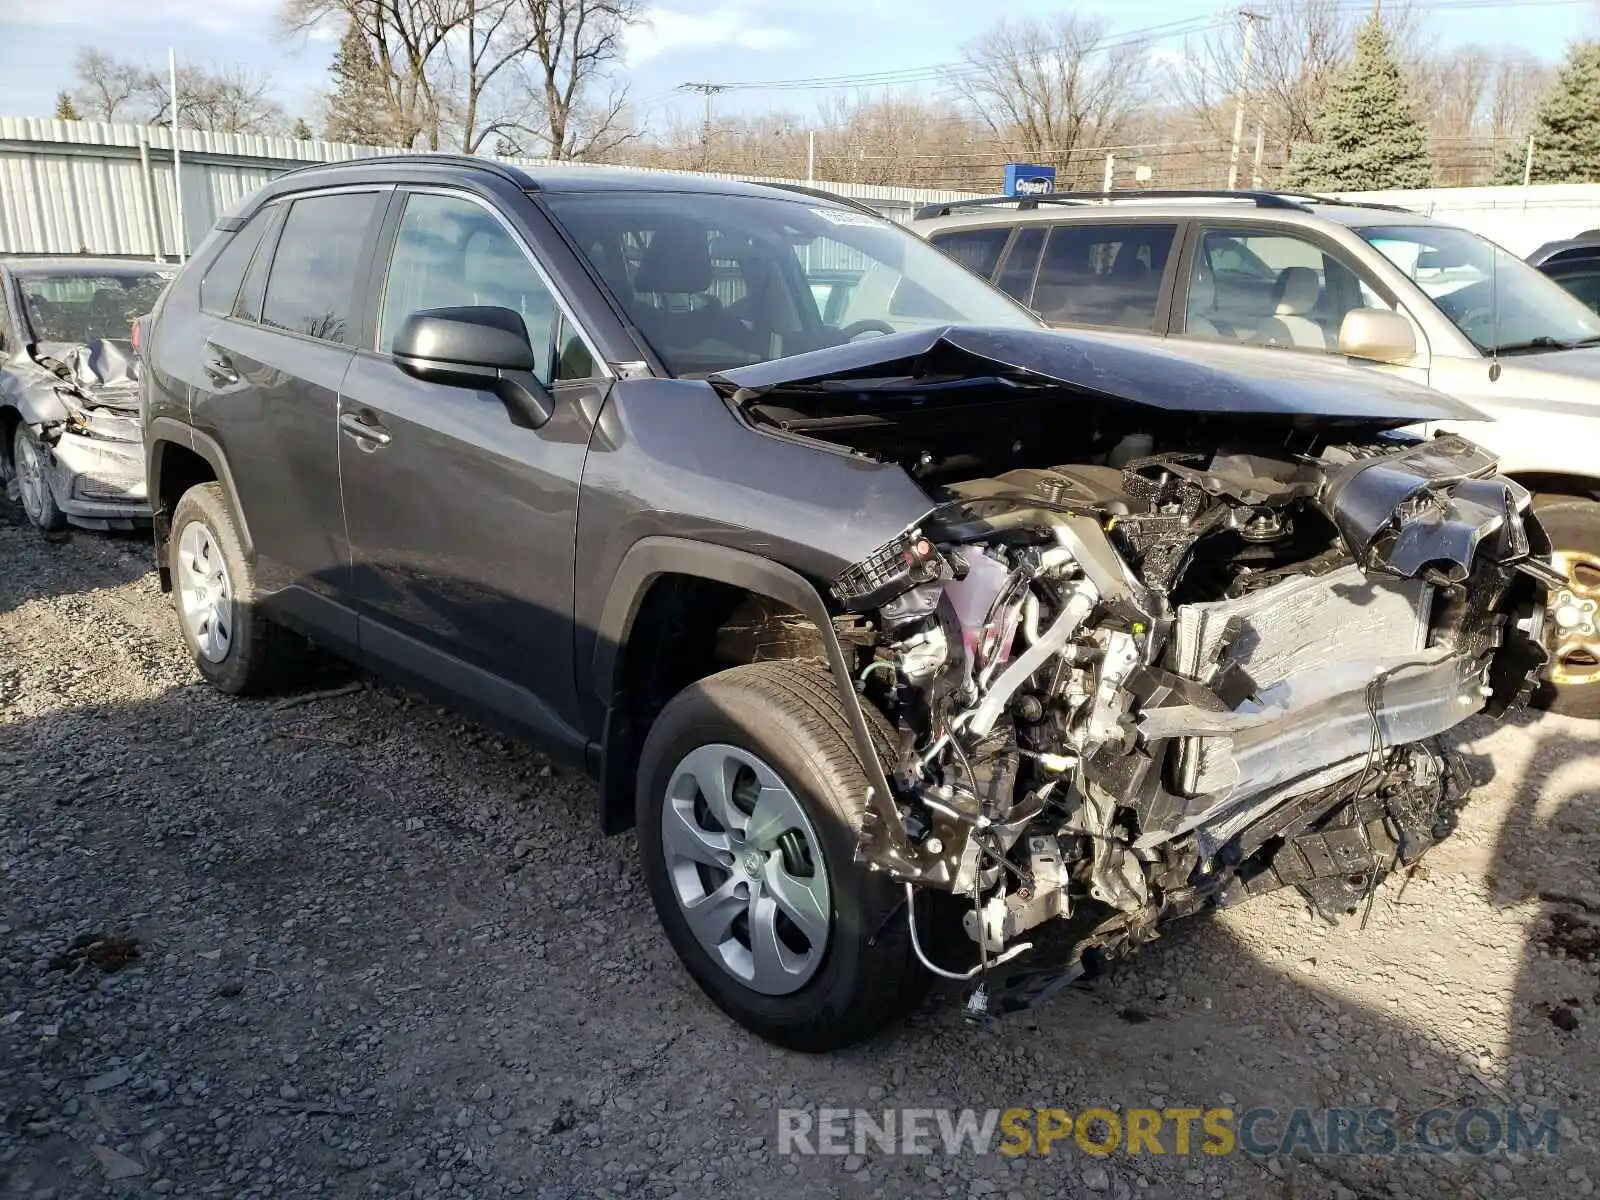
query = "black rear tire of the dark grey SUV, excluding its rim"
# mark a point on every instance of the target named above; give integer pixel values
(262, 657)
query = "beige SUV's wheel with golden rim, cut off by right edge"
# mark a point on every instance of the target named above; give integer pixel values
(1574, 679)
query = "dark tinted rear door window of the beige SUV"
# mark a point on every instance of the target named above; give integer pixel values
(1103, 274)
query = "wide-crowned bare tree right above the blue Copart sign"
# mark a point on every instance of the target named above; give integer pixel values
(1047, 89)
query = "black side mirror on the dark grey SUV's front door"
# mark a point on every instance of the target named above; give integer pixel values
(479, 346)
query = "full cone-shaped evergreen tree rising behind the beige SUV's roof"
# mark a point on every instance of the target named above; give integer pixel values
(1369, 137)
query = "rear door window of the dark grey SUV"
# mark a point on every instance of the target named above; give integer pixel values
(318, 266)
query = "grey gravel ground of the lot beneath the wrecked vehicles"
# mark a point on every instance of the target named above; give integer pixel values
(385, 953)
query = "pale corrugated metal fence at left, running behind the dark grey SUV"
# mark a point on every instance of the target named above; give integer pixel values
(73, 188)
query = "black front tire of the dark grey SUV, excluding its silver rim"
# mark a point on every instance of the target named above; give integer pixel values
(788, 714)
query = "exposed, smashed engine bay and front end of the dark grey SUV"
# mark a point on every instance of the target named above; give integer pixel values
(1196, 663)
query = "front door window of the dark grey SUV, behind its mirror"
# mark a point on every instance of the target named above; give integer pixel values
(455, 254)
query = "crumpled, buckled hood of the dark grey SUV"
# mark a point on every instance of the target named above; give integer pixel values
(1188, 378)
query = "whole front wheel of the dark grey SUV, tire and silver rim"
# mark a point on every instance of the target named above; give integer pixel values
(750, 801)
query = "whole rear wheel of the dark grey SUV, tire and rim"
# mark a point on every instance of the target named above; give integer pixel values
(234, 646)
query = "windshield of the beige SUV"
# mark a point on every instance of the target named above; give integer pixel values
(1490, 295)
